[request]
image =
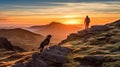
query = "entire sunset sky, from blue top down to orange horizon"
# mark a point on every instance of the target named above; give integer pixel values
(37, 12)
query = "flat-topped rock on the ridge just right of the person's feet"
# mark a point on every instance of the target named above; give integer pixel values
(98, 28)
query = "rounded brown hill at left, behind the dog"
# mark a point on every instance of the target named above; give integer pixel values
(22, 38)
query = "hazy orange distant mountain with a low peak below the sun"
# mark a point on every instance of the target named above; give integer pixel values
(58, 30)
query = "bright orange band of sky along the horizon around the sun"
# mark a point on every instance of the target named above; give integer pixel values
(65, 20)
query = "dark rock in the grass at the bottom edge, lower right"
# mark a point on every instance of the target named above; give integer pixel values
(92, 61)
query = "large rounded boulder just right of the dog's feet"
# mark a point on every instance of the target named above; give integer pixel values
(55, 54)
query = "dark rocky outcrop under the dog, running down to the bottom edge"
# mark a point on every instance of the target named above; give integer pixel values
(55, 56)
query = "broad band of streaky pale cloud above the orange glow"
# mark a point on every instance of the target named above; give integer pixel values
(55, 8)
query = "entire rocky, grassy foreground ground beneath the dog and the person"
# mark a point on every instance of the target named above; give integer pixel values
(99, 46)
